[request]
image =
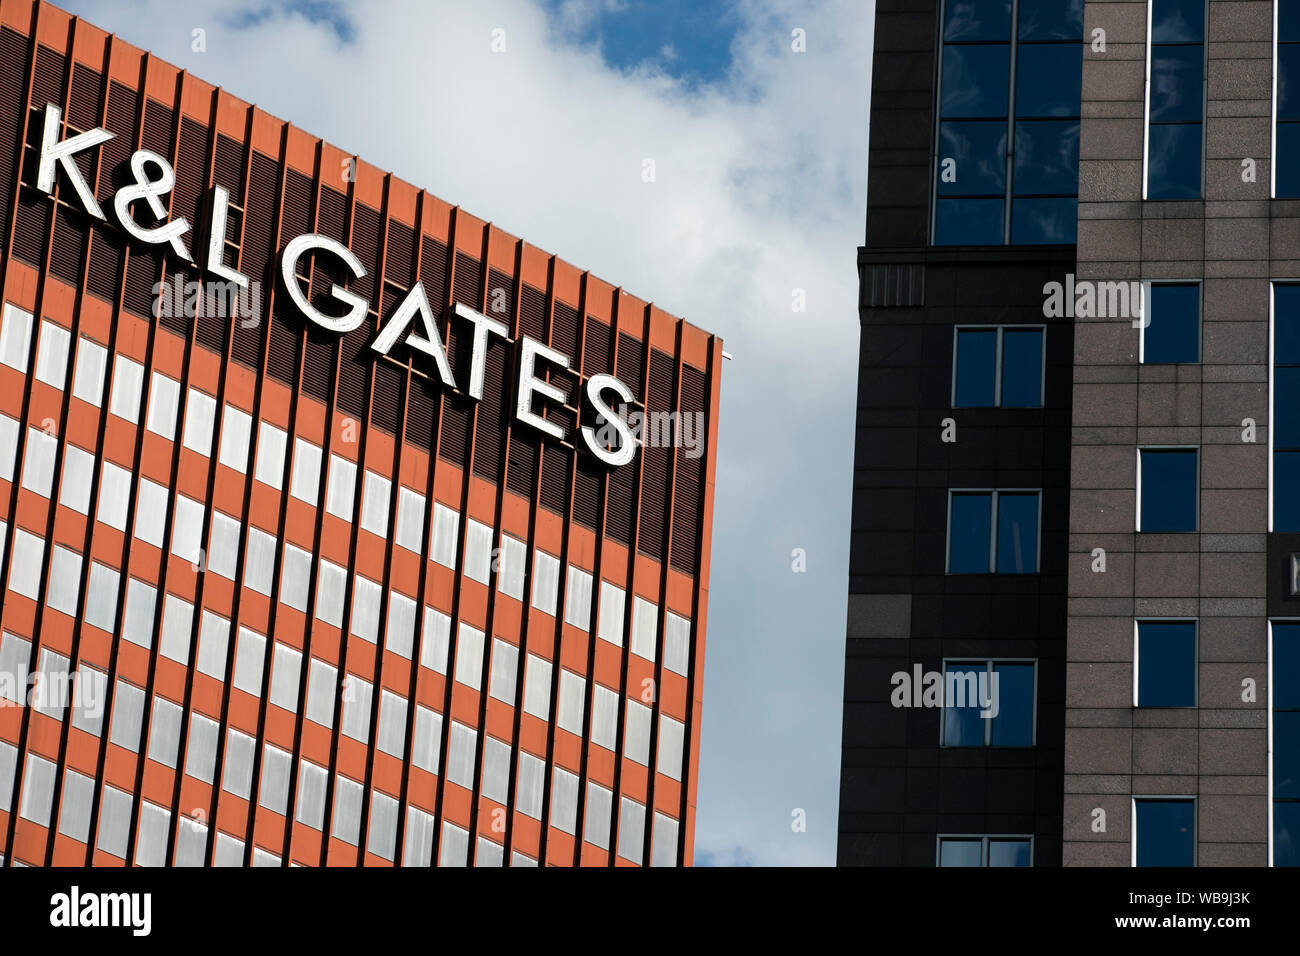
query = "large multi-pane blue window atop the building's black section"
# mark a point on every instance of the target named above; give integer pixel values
(1008, 157)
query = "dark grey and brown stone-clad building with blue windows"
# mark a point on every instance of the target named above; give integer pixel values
(1102, 175)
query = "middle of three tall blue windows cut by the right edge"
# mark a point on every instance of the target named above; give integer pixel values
(1285, 409)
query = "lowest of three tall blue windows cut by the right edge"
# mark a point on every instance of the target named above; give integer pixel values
(1285, 702)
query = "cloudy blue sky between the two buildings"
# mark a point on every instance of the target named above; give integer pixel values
(757, 207)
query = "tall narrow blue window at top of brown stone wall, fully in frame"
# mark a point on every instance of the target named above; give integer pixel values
(1176, 75)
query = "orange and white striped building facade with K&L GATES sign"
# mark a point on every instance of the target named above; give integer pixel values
(328, 539)
